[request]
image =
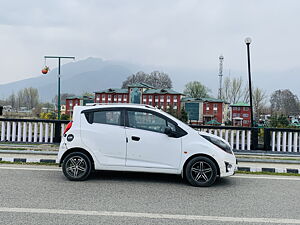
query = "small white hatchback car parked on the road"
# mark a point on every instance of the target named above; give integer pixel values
(141, 138)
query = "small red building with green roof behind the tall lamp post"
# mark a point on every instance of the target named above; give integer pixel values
(241, 114)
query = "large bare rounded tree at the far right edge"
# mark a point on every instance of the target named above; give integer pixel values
(284, 102)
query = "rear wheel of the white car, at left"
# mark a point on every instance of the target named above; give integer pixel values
(77, 166)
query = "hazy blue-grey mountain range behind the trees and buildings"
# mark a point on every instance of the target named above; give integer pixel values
(93, 74)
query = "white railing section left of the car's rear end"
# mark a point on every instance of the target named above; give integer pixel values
(38, 131)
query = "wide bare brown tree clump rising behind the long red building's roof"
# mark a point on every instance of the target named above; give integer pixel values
(156, 79)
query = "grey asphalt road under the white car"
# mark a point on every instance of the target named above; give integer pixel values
(42, 195)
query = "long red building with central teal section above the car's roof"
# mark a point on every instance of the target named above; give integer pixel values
(141, 93)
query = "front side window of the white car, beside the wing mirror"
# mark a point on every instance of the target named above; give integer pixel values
(148, 121)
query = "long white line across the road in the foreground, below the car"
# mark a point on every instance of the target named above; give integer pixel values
(151, 215)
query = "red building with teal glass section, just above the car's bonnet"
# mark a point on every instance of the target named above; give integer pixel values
(205, 110)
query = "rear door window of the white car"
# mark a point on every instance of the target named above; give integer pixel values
(107, 117)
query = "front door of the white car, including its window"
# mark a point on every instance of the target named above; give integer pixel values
(148, 146)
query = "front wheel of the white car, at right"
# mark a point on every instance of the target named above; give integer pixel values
(201, 172)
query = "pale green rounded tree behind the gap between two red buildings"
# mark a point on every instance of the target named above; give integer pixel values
(195, 89)
